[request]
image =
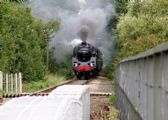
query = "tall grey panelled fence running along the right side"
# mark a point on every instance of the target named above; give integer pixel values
(142, 85)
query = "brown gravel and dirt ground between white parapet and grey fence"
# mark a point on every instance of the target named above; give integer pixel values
(101, 109)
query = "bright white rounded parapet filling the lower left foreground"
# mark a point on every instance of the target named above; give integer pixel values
(69, 102)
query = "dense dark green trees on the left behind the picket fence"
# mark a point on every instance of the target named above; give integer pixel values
(22, 41)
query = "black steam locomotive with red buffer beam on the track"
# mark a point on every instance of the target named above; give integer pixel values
(87, 61)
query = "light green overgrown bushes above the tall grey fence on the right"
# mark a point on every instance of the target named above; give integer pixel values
(141, 26)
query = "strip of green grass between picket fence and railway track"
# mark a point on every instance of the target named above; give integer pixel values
(52, 79)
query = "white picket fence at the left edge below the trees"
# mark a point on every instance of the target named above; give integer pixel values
(11, 83)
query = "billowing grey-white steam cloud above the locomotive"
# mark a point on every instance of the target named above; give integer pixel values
(73, 15)
